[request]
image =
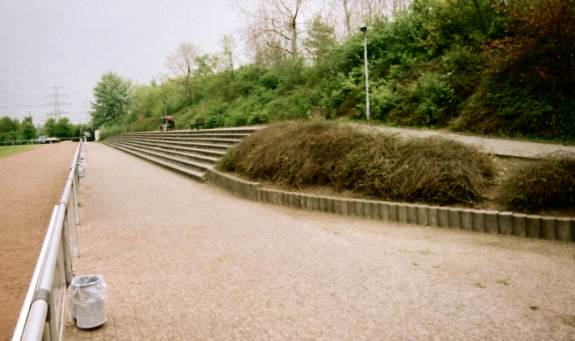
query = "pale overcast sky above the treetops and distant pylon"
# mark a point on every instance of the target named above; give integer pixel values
(71, 43)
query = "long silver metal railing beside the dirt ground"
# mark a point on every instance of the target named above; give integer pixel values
(42, 313)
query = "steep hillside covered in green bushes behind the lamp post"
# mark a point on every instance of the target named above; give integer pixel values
(485, 66)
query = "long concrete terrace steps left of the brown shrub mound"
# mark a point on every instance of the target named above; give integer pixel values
(191, 153)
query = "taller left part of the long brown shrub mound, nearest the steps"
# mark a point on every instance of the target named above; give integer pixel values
(295, 153)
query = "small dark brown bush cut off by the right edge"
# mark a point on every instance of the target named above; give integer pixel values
(546, 184)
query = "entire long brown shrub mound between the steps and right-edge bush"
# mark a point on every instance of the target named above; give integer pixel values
(299, 154)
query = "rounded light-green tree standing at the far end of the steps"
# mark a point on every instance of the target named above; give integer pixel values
(112, 96)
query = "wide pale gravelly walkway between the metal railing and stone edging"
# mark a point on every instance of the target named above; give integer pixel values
(185, 261)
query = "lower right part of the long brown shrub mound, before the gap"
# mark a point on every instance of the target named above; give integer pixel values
(431, 170)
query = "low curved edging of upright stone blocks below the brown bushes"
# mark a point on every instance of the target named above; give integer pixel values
(494, 222)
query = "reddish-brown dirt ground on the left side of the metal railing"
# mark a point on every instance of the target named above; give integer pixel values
(30, 186)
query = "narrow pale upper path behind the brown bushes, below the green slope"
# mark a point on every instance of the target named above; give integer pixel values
(498, 146)
